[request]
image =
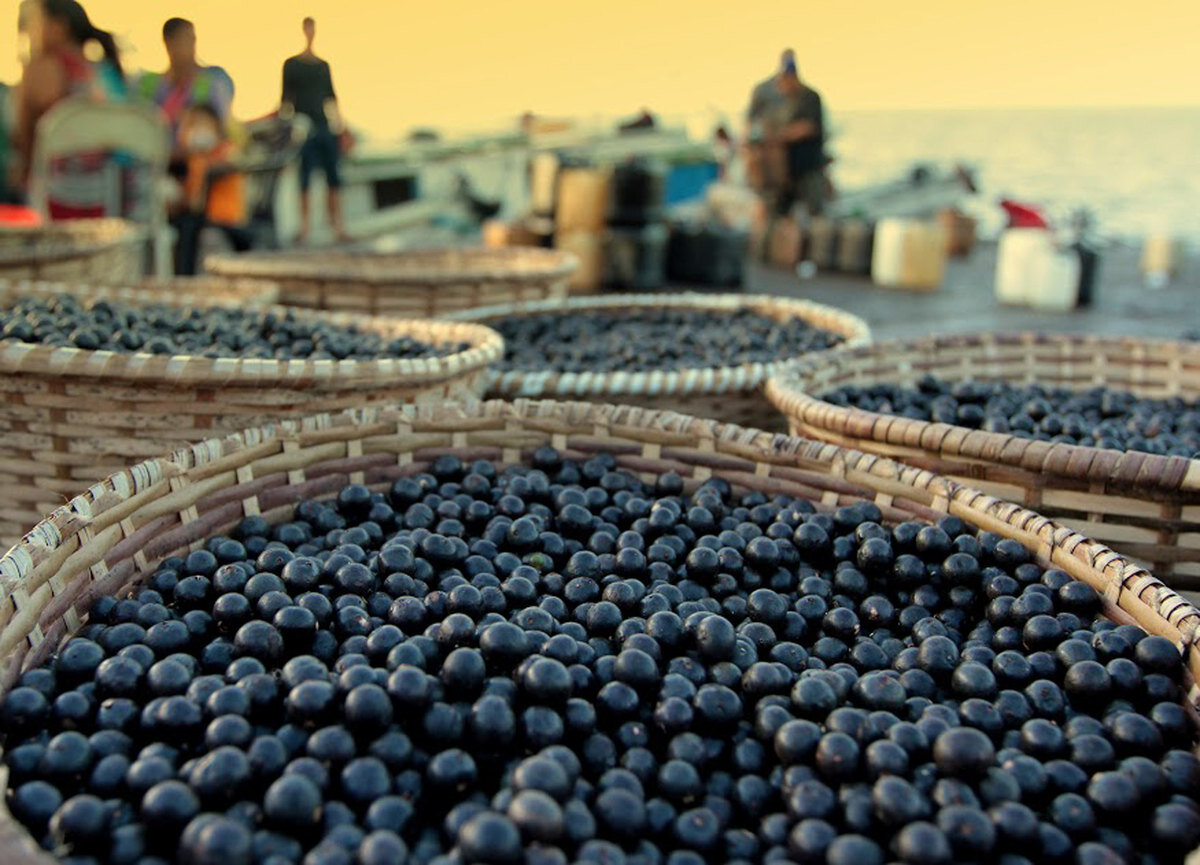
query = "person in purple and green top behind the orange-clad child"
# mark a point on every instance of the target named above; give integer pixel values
(185, 85)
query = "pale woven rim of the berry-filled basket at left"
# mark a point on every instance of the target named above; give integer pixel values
(485, 346)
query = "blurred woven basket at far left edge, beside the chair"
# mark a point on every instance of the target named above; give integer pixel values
(93, 250)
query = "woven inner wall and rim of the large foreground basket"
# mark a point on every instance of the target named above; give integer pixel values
(110, 538)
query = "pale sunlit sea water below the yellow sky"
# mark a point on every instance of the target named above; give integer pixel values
(1137, 170)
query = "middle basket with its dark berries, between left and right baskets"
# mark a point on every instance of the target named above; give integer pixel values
(703, 355)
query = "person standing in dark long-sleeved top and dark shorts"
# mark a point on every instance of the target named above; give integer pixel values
(309, 91)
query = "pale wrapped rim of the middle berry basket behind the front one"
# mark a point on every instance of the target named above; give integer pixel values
(697, 381)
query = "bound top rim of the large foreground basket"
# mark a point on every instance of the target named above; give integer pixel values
(1057, 545)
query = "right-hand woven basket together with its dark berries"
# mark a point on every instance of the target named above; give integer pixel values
(1096, 432)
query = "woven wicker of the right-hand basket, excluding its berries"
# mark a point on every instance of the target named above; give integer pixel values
(1144, 506)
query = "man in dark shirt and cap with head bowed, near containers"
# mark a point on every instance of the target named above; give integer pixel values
(797, 125)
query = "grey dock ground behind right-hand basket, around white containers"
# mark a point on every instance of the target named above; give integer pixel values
(1123, 307)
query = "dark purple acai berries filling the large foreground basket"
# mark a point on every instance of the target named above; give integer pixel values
(562, 663)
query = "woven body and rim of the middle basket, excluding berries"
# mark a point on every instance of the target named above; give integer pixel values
(730, 394)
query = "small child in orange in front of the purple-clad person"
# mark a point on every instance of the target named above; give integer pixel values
(213, 188)
